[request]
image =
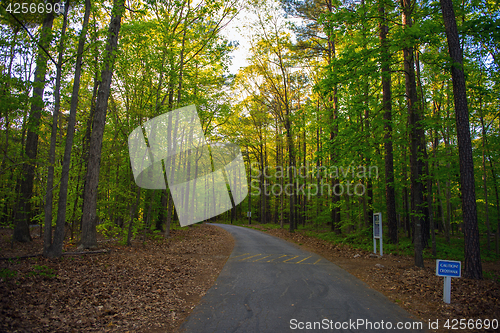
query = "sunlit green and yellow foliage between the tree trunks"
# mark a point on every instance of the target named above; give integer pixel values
(311, 91)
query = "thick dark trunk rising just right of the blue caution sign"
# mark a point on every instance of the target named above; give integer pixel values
(473, 266)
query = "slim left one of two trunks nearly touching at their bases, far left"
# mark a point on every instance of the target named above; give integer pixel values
(54, 249)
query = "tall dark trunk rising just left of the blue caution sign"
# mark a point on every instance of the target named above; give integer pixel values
(416, 140)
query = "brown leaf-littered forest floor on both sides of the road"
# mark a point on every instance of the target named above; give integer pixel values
(152, 287)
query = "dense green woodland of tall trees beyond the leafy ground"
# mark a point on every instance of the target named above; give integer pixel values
(345, 108)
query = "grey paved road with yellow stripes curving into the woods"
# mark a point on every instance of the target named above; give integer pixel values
(270, 285)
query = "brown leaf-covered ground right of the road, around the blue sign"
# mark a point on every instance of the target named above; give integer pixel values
(419, 291)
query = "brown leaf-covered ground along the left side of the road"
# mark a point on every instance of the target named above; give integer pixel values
(143, 288)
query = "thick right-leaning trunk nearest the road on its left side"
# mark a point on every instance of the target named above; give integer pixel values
(89, 218)
